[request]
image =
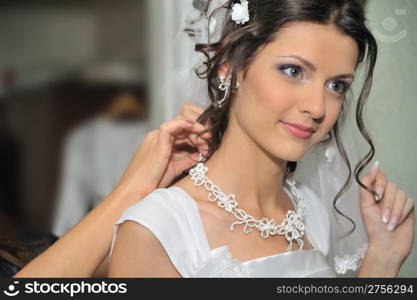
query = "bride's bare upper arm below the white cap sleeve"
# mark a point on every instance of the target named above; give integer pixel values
(138, 253)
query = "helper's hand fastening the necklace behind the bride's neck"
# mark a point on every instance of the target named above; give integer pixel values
(165, 153)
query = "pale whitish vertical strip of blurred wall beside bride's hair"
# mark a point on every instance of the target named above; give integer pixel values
(169, 50)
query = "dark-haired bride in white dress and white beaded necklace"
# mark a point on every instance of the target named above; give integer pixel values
(278, 82)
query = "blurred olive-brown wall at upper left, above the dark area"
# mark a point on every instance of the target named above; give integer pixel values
(42, 40)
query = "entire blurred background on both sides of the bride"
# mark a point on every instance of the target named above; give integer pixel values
(82, 81)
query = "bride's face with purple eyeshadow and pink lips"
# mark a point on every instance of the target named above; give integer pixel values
(300, 77)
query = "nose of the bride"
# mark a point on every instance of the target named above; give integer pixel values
(313, 101)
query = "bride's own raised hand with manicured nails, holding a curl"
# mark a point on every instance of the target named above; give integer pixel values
(390, 222)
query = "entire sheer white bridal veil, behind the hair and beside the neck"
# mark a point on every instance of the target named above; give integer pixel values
(322, 168)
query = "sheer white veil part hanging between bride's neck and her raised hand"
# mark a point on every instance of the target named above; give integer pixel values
(323, 170)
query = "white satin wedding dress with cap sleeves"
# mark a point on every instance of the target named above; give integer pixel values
(174, 219)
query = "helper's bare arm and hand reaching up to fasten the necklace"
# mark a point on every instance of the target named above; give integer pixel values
(81, 251)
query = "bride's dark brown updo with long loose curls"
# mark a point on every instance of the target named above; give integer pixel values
(239, 44)
